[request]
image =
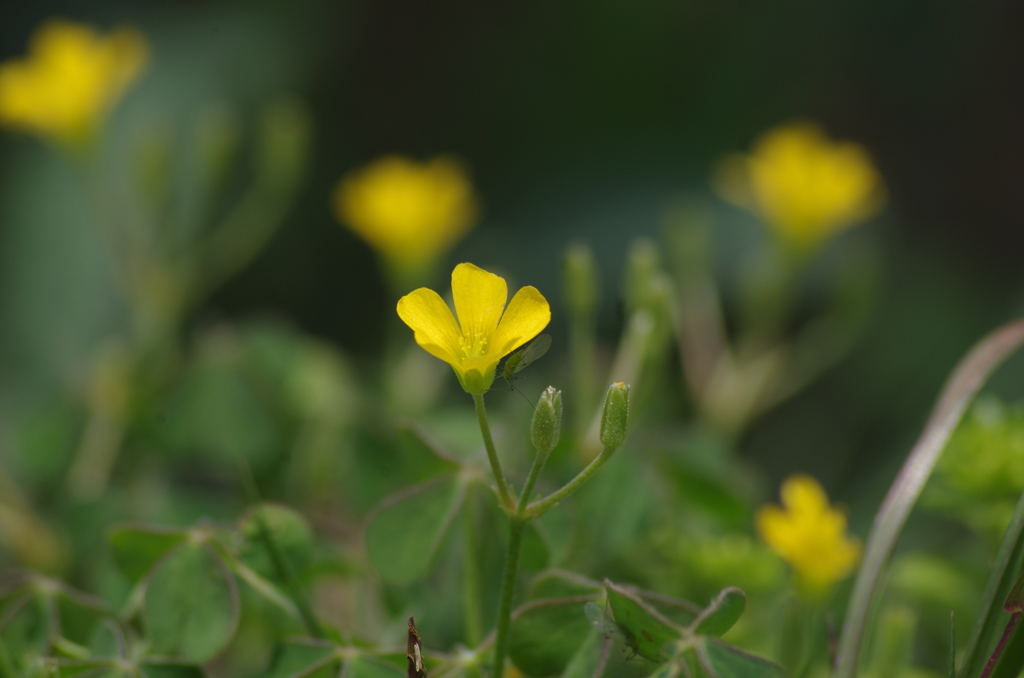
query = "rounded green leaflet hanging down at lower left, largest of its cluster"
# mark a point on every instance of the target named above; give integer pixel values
(192, 606)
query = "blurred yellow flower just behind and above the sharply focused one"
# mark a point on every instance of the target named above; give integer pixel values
(410, 213)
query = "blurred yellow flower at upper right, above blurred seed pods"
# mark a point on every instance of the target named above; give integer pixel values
(803, 185)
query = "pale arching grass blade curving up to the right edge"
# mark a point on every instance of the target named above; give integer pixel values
(972, 372)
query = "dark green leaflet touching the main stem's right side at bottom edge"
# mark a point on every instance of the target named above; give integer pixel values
(546, 634)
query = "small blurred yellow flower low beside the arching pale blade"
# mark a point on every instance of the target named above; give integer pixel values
(809, 534)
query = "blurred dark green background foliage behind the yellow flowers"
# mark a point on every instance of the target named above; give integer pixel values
(141, 357)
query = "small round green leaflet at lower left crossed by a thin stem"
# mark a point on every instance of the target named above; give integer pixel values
(290, 532)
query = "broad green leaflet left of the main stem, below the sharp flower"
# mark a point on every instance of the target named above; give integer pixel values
(405, 532)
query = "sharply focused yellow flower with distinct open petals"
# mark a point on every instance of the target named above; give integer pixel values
(483, 336)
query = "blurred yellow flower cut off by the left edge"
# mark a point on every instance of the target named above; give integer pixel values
(71, 79)
